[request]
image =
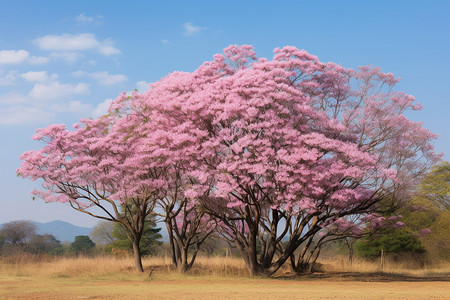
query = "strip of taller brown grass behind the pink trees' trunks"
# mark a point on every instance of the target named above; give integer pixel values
(28, 264)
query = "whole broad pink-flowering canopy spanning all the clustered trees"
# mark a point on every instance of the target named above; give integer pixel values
(265, 150)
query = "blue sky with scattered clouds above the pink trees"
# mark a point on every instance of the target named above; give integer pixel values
(63, 60)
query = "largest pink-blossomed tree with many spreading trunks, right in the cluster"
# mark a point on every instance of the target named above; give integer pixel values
(286, 147)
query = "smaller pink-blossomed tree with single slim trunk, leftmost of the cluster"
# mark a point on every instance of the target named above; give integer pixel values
(100, 170)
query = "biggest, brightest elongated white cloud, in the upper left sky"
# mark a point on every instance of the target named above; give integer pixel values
(76, 42)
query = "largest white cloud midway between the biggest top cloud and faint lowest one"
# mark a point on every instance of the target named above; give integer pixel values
(55, 90)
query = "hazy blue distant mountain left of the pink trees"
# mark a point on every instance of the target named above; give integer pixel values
(63, 231)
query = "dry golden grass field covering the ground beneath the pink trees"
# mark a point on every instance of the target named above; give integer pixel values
(24, 277)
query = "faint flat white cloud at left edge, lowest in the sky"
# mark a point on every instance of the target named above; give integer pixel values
(19, 115)
